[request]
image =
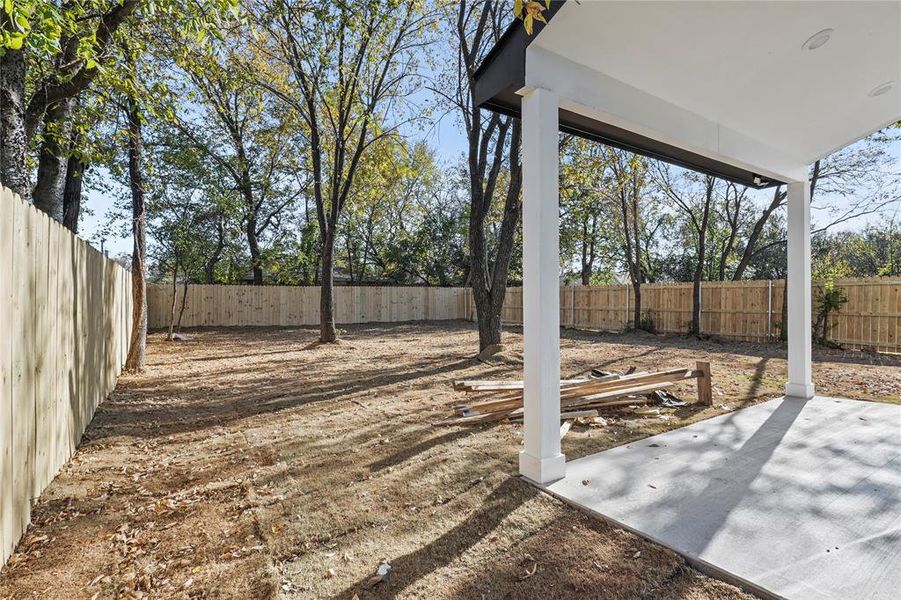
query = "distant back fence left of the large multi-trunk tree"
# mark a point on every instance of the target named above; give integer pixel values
(238, 305)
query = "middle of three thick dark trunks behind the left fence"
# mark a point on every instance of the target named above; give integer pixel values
(53, 160)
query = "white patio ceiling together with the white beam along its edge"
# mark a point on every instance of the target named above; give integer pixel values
(734, 81)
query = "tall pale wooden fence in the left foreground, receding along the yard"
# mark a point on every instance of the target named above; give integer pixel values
(65, 320)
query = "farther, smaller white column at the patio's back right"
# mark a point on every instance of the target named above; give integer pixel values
(800, 315)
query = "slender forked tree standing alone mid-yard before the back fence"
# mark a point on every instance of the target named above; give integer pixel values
(344, 70)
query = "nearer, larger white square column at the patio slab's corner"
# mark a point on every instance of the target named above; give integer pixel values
(541, 459)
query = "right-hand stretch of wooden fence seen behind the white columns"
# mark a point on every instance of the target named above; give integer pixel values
(738, 310)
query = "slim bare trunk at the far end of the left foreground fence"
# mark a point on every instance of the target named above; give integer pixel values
(136, 351)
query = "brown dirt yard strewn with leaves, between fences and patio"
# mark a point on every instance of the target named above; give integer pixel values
(256, 464)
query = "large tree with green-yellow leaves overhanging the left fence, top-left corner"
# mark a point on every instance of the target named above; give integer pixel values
(51, 53)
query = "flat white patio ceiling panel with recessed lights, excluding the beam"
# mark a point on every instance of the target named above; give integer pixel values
(744, 65)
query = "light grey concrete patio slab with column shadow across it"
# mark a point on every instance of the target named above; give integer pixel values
(790, 499)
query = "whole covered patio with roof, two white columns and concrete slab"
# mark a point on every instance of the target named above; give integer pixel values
(754, 93)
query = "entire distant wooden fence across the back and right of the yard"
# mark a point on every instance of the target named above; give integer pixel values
(740, 310)
